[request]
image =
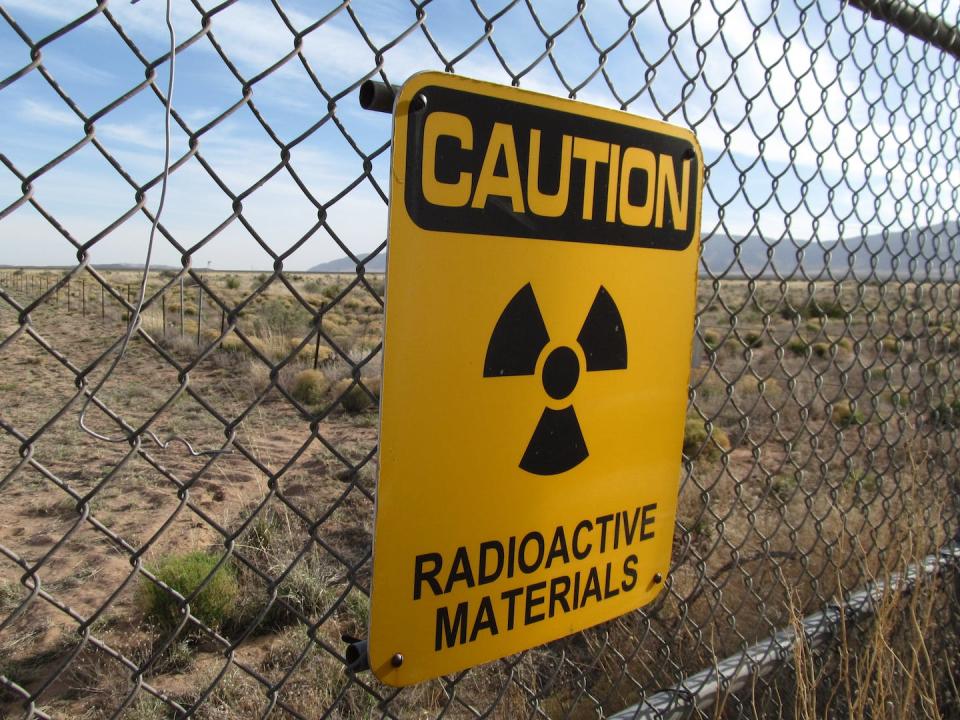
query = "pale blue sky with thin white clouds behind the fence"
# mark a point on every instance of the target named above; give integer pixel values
(820, 124)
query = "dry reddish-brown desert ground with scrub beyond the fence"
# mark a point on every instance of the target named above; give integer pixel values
(821, 434)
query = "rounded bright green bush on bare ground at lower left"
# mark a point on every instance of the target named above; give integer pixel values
(214, 606)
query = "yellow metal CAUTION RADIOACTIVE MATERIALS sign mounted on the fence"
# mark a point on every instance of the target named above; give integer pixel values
(541, 282)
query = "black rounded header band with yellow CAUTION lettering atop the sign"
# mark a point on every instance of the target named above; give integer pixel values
(482, 165)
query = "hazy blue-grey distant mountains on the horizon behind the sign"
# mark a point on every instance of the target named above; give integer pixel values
(932, 252)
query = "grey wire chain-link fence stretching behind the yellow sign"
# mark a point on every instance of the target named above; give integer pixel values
(200, 545)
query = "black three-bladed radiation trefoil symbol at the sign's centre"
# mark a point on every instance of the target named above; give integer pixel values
(520, 336)
